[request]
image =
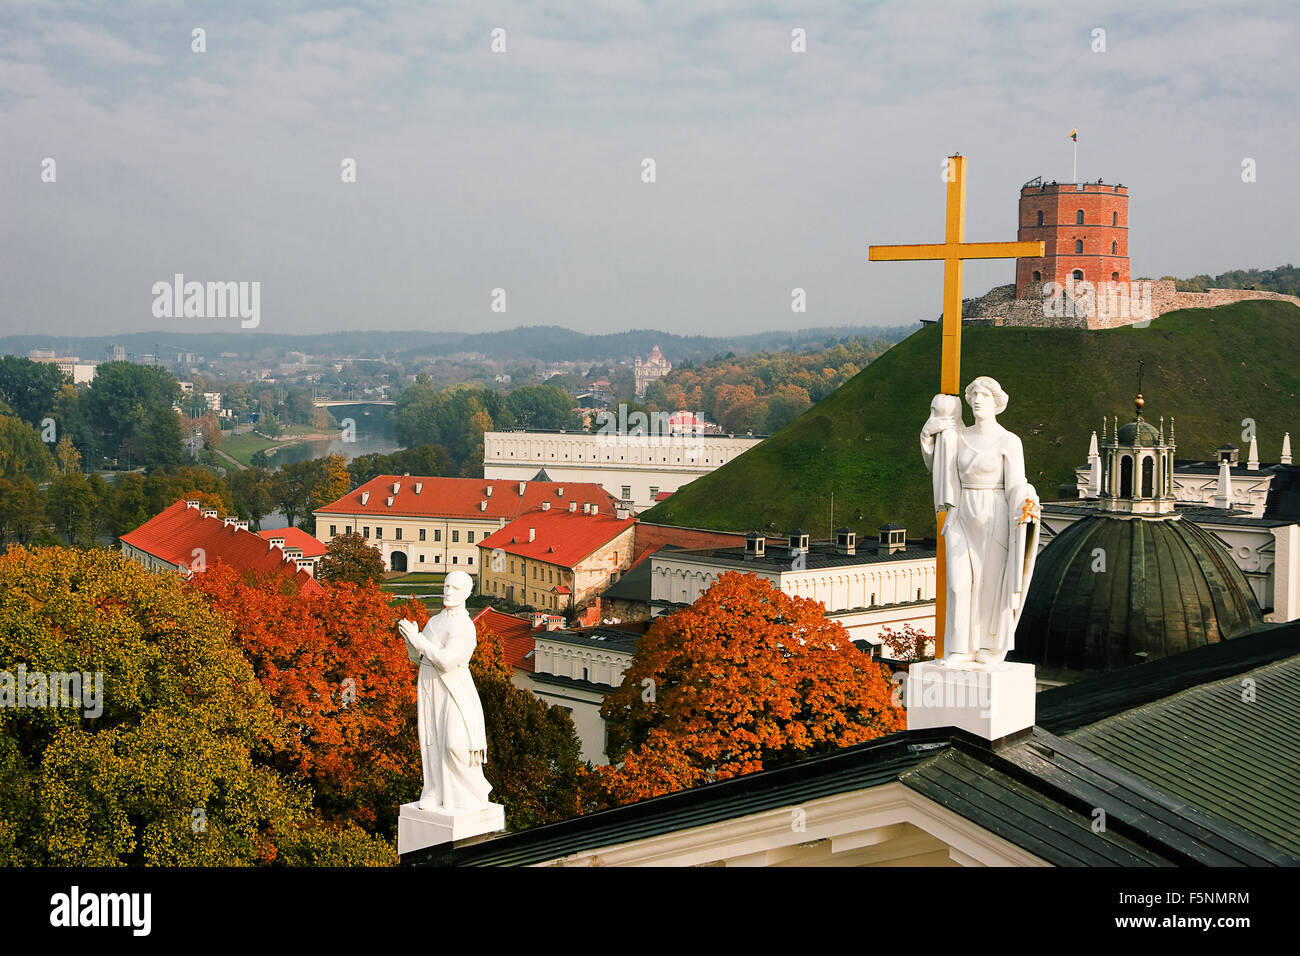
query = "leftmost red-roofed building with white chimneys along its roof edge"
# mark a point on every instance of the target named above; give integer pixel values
(185, 538)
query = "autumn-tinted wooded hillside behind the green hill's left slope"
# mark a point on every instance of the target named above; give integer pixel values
(766, 392)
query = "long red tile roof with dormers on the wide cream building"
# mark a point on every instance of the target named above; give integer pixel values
(448, 498)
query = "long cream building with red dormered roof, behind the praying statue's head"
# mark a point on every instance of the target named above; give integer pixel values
(437, 524)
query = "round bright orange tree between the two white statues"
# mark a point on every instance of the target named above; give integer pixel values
(747, 678)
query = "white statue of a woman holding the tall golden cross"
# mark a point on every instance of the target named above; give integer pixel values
(993, 525)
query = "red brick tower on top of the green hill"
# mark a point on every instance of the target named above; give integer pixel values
(1085, 228)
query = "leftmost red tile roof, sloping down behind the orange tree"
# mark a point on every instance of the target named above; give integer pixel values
(179, 530)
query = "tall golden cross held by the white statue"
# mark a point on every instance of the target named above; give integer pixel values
(952, 250)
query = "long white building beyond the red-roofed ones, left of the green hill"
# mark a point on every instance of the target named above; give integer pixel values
(635, 468)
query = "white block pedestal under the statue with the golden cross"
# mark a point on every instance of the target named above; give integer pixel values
(990, 703)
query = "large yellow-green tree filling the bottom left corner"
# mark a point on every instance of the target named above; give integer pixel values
(166, 763)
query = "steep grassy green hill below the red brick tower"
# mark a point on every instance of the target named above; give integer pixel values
(1207, 369)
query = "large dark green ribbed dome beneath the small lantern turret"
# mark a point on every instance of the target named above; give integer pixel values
(1168, 587)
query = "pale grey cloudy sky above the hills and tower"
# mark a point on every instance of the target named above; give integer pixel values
(525, 170)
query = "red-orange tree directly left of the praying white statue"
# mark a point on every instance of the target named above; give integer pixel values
(341, 685)
